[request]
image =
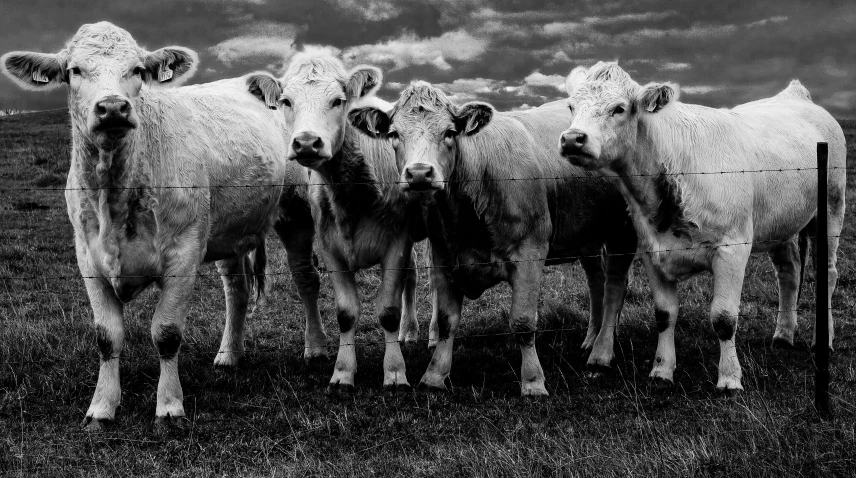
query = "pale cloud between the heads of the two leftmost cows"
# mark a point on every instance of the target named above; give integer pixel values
(263, 41)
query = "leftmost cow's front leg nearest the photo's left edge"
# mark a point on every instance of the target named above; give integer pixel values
(109, 336)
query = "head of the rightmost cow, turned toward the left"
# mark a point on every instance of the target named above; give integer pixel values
(607, 106)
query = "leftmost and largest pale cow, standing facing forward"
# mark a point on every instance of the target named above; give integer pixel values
(151, 192)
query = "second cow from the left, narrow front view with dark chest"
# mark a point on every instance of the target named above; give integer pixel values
(362, 218)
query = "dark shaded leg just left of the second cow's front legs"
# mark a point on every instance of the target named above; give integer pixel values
(297, 236)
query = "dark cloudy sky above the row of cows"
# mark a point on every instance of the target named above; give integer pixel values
(512, 53)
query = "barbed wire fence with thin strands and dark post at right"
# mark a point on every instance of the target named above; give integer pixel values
(821, 360)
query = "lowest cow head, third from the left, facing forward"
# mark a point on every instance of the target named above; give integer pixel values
(424, 127)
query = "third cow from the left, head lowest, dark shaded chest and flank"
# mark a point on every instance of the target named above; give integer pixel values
(500, 214)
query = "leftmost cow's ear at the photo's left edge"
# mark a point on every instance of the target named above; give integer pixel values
(33, 71)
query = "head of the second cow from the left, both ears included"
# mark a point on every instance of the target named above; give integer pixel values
(314, 95)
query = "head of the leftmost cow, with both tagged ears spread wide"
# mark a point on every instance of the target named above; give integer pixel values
(104, 69)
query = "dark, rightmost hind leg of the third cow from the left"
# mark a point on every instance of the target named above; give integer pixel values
(617, 267)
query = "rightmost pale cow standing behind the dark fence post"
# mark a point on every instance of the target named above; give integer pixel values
(680, 168)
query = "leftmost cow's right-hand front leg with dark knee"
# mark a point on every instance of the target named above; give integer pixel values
(167, 334)
